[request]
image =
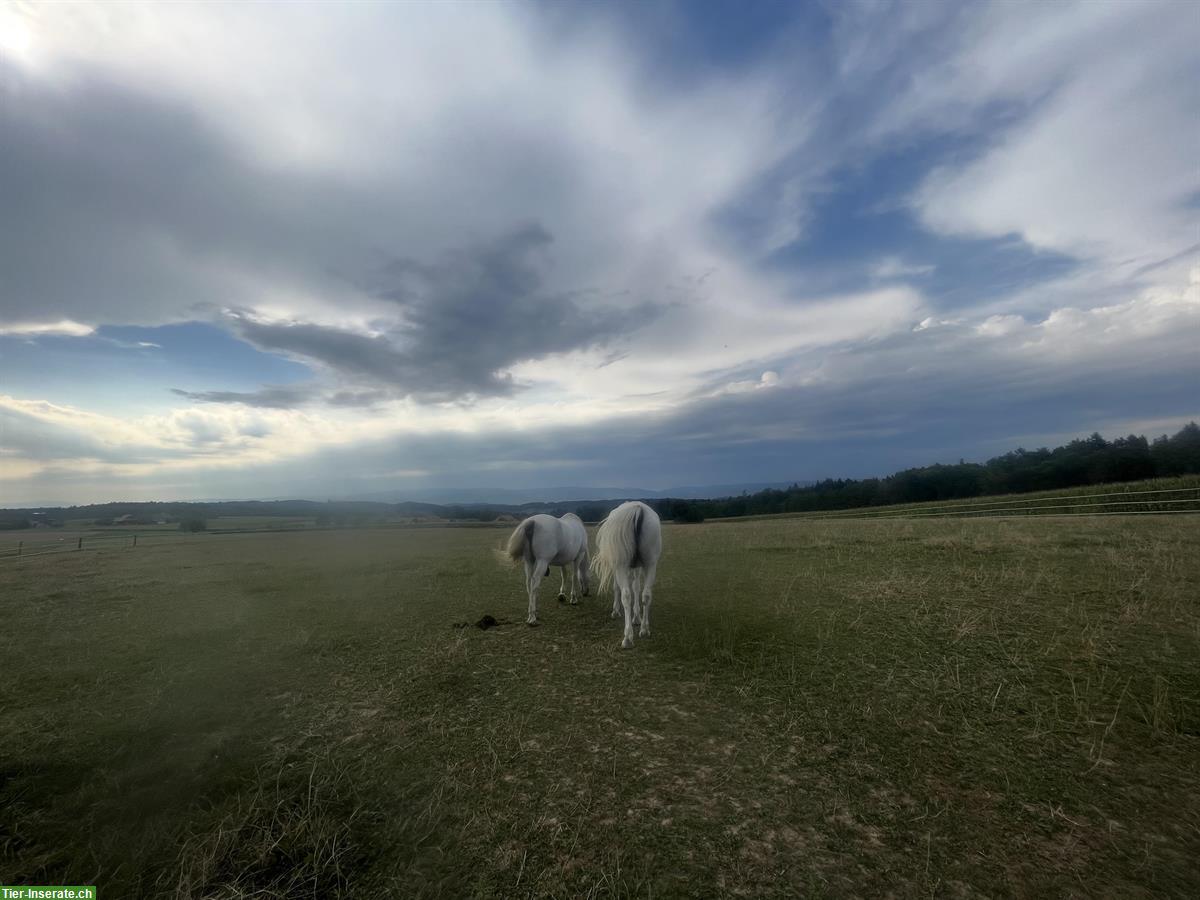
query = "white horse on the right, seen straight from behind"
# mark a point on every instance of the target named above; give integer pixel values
(628, 549)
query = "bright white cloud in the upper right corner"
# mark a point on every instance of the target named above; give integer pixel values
(1099, 166)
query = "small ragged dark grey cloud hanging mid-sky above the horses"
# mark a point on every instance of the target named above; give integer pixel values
(464, 321)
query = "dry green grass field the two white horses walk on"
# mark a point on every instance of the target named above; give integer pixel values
(909, 709)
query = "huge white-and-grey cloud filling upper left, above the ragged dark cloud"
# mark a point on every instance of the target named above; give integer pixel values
(295, 193)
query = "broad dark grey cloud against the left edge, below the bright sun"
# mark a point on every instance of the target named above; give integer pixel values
(129, 207)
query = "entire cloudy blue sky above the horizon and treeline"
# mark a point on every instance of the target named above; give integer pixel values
(335, 250)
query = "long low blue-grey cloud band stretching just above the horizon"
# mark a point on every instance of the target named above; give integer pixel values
(910, 399)
